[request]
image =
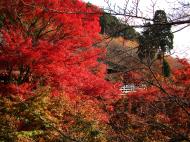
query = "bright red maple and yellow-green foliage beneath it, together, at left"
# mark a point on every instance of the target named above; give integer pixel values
(51, 44)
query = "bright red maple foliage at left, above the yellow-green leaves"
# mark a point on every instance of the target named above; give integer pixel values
(50, 42)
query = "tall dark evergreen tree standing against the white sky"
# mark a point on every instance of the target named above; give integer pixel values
(157, 38)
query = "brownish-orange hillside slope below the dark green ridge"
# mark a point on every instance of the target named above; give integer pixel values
(121, 57)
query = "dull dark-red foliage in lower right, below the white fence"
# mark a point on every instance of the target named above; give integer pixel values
(161, 111)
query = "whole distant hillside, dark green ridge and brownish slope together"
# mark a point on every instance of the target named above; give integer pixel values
(122, 47)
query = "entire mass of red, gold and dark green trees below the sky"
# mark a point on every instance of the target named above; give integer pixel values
(53, 85)
